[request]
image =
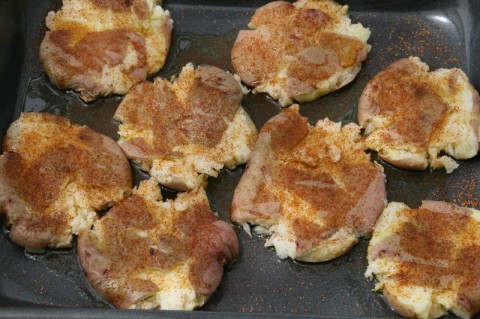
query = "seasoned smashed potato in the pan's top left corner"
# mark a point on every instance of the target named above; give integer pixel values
(103, 47)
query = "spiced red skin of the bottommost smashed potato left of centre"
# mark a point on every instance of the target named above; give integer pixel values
(198, 234)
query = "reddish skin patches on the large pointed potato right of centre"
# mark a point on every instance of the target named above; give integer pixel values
(253, 202)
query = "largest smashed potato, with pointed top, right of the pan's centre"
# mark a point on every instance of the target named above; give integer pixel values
(312, 189)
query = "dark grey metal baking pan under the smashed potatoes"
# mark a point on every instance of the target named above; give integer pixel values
(443, 33)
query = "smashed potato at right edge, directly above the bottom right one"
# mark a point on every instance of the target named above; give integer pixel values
(411, 116)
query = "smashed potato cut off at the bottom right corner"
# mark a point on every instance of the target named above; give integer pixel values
(426, 259)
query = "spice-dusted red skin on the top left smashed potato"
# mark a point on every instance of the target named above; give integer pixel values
(74, 67)
